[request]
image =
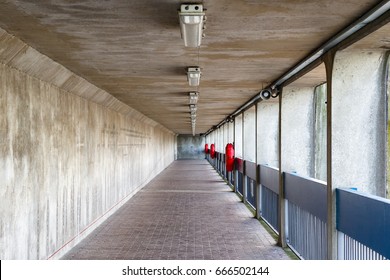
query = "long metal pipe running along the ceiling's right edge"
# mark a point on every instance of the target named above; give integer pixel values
(366, 24)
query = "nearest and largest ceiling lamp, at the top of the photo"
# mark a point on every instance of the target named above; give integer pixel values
(192, 19)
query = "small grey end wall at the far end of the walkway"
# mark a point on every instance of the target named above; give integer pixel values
(190, 147)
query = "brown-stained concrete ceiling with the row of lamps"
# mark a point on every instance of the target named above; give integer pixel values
(134, 51)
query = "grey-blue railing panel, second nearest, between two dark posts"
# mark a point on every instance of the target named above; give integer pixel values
(307, 193)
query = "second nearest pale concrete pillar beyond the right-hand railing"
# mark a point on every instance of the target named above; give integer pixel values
(297, 130)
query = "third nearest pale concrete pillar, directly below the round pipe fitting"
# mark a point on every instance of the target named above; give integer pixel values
(268, 133)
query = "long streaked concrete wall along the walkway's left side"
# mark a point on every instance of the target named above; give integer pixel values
(66, 161)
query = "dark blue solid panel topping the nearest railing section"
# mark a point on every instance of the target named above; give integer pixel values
(365, 218)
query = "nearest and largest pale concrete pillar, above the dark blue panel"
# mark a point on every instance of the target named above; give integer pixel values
(359, 121)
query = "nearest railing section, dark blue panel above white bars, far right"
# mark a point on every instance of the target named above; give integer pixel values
(363, 224)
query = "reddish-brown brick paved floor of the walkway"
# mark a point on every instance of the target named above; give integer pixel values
(187, 212)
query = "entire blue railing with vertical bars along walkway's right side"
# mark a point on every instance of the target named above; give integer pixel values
(362, 221)
